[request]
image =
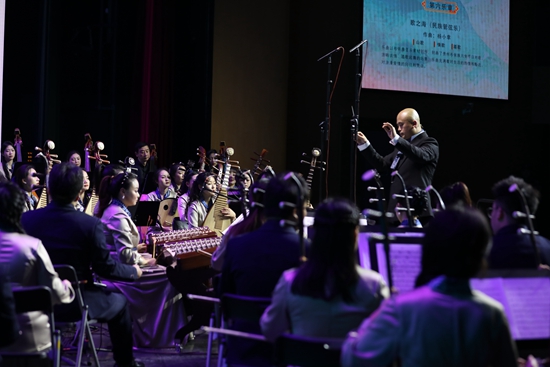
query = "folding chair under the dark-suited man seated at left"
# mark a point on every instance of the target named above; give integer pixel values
(76, 311)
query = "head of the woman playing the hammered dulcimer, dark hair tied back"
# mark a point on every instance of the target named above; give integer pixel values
(123, 187)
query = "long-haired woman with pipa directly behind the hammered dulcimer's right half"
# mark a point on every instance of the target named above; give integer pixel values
(201, 200)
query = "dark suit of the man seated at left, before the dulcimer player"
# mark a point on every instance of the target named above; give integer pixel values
(74, 238)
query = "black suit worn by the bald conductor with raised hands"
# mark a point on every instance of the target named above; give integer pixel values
(416, 165)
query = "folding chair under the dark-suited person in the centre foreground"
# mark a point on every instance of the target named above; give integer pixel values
(236, 311)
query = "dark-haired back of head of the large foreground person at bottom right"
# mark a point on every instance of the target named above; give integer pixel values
(455, 244)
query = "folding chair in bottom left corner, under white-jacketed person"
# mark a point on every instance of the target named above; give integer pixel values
(36, 298)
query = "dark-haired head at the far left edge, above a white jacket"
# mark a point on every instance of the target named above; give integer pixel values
(12, 202)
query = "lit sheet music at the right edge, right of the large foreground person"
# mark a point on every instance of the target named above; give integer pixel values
(526, 302)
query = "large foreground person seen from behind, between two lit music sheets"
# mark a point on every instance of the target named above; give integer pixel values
(444, 323)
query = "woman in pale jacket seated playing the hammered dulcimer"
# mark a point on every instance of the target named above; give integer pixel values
(120, 231)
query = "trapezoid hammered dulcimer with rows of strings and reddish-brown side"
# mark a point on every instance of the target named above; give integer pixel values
(193, 247)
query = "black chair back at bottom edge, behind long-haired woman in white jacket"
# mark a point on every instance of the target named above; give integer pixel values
(295, 350)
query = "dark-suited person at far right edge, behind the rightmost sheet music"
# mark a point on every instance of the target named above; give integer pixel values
(513, 248)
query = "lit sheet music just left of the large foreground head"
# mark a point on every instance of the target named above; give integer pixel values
(405, 261)
